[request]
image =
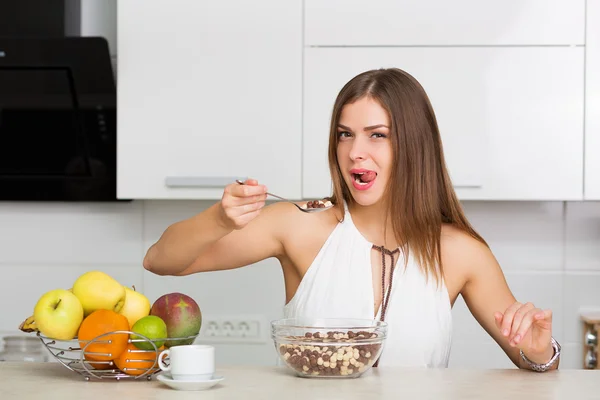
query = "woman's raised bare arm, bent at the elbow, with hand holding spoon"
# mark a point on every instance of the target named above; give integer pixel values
(235, 232)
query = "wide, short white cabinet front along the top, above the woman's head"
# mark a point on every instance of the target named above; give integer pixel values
(443, 22)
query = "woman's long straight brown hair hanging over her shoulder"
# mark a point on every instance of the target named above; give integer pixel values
(419, 197)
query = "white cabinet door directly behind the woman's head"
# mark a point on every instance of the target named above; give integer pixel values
(511, 119)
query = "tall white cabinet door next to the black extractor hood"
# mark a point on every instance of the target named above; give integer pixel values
(209, 91)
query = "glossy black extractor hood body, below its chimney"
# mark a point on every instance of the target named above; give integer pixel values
(58, 139)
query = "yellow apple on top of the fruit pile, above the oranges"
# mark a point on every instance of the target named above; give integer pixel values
(97, 290)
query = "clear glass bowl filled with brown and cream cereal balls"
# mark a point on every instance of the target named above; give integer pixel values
(328, 347)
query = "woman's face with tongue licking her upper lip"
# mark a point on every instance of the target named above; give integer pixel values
(365, 150)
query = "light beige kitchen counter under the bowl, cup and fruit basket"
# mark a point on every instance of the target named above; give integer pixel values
(51, 380)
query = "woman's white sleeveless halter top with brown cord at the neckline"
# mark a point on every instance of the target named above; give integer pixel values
(339, 284)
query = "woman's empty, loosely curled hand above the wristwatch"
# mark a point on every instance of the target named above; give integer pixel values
(528, 328)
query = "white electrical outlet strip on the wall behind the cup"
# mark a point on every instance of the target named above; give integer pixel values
(234, 329)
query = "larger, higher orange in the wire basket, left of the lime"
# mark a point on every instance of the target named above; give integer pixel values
(107, 347)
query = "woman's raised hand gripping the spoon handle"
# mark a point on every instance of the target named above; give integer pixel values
(240, 204)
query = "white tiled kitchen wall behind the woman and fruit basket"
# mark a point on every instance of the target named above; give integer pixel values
(550, 253)
